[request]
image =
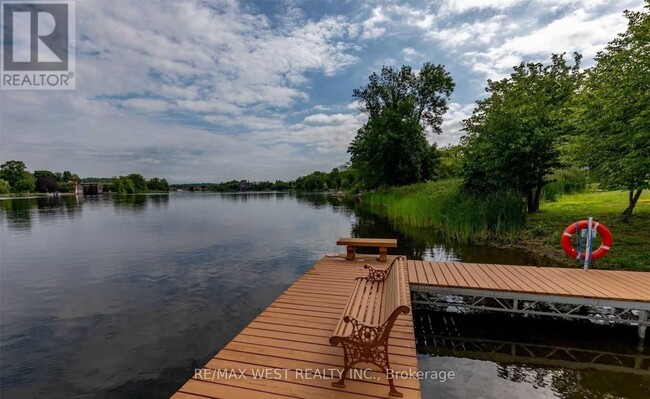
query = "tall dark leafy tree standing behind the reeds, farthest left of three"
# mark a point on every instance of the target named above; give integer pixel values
(402, 106)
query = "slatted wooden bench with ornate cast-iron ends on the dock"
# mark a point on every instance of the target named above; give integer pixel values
(364, 328)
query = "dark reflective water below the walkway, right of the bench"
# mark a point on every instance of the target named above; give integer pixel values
(534, 357)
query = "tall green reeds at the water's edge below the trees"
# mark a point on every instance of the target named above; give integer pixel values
(443, 206)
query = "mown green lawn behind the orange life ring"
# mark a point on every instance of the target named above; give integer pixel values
(631, 249)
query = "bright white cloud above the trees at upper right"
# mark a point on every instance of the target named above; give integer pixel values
(495, 41)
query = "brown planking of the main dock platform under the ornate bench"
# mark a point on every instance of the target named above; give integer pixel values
(292, 336)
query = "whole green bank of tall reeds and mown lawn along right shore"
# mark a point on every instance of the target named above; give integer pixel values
(500, 219)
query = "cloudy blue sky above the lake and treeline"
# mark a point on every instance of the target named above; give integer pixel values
(208, 91)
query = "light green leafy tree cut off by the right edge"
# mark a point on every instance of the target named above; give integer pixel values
(612, 113)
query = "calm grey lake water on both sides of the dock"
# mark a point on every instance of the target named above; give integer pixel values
(105, 297)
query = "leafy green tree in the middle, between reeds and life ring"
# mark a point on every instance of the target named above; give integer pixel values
(513, 135)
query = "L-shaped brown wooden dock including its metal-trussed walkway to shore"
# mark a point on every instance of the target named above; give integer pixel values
(285, 352)
